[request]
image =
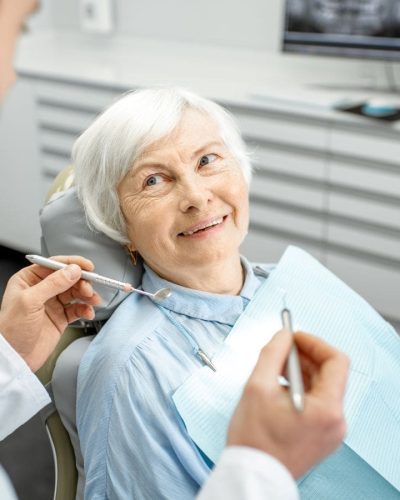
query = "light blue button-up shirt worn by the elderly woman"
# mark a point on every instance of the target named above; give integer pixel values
(133, 441)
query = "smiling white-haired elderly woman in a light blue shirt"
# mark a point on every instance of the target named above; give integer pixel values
(165, 173)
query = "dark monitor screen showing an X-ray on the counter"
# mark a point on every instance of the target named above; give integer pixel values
(355, 28)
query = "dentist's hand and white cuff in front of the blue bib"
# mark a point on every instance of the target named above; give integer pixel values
(269, 443)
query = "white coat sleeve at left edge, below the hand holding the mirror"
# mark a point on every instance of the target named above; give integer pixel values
(21, 393)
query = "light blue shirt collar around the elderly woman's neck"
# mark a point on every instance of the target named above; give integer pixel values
(203, 305)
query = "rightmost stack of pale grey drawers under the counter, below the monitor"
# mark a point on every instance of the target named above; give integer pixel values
(364, 227)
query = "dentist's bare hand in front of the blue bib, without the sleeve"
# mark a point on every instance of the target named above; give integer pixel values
(265, 418)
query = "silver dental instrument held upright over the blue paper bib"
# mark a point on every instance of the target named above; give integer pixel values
(296, 387)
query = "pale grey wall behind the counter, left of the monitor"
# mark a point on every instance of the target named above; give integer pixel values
(248, 24)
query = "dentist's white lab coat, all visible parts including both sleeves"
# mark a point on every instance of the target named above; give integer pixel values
(241, 474)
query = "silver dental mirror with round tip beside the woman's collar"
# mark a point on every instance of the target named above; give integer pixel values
(161, 294)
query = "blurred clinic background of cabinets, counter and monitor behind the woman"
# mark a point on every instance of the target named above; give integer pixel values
(314, 85)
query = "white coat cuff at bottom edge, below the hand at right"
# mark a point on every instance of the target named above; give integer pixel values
(243, 473)
